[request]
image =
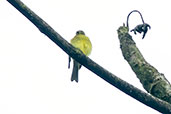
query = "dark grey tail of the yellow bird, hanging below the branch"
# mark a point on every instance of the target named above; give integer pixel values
(76, 67)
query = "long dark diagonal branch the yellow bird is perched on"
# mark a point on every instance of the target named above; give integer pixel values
(150, 101)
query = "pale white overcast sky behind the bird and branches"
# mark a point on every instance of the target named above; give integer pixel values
(34, 78)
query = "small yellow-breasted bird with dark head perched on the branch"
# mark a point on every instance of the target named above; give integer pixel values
(83, 43)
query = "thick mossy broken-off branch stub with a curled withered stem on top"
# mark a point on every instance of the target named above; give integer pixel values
(153, 82)
